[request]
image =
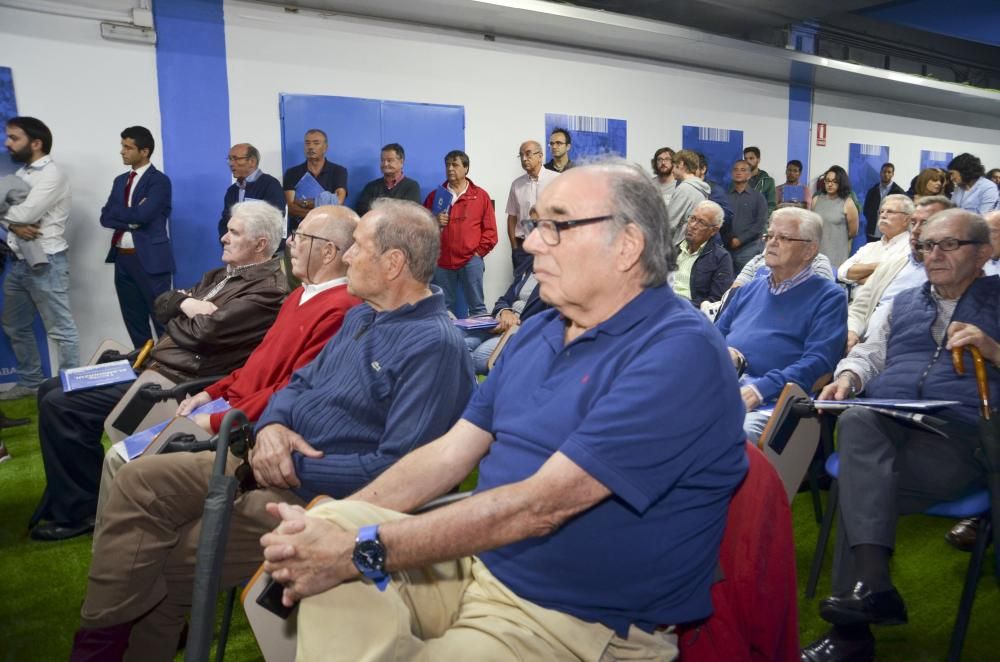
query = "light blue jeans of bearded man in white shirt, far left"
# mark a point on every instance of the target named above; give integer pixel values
(43, 290)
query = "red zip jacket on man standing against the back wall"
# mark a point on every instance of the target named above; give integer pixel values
(471, 229)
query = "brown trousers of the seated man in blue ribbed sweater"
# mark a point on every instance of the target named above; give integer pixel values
(145, 545)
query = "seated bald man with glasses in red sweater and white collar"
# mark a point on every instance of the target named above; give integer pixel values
(310, 316)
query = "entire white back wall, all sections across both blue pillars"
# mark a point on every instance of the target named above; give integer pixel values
(88, 89)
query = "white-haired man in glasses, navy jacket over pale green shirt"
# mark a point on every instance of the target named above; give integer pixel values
(704, 267)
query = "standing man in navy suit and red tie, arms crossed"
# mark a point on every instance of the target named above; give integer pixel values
(137, 211)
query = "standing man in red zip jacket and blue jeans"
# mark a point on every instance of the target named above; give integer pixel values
(468, 233)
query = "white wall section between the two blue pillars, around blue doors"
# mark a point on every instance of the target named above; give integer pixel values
(506, 90)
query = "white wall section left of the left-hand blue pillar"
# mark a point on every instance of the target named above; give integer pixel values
(86, 90)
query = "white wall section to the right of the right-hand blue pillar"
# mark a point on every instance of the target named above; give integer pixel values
(906, 131)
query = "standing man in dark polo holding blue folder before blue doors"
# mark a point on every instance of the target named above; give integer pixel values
(305, 182)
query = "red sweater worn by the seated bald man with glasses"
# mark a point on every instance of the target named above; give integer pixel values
(296, 337)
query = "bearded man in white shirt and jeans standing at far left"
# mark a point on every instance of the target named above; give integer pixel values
(43, 285)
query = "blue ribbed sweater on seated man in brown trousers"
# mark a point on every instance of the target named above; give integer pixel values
(385, 384)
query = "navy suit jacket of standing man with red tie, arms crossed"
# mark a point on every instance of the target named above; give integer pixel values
(146, 219)
